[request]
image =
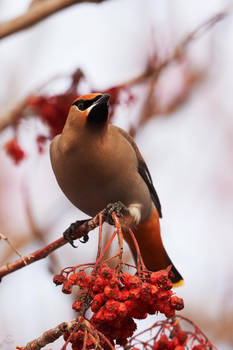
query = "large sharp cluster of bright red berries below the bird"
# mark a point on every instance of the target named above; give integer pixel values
(118, 298)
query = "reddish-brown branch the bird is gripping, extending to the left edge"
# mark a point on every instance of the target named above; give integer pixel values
(42, 253)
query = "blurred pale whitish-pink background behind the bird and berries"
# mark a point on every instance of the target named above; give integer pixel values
(181, 116)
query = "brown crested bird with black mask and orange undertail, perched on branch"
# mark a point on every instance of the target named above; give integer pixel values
(96, 163)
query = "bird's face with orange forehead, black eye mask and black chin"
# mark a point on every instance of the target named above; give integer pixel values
(92, 109)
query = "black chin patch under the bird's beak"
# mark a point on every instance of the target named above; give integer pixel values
(99, 112)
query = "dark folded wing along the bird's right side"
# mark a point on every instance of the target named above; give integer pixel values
(143, 171)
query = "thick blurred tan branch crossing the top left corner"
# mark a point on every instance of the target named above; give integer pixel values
(36, 14)
